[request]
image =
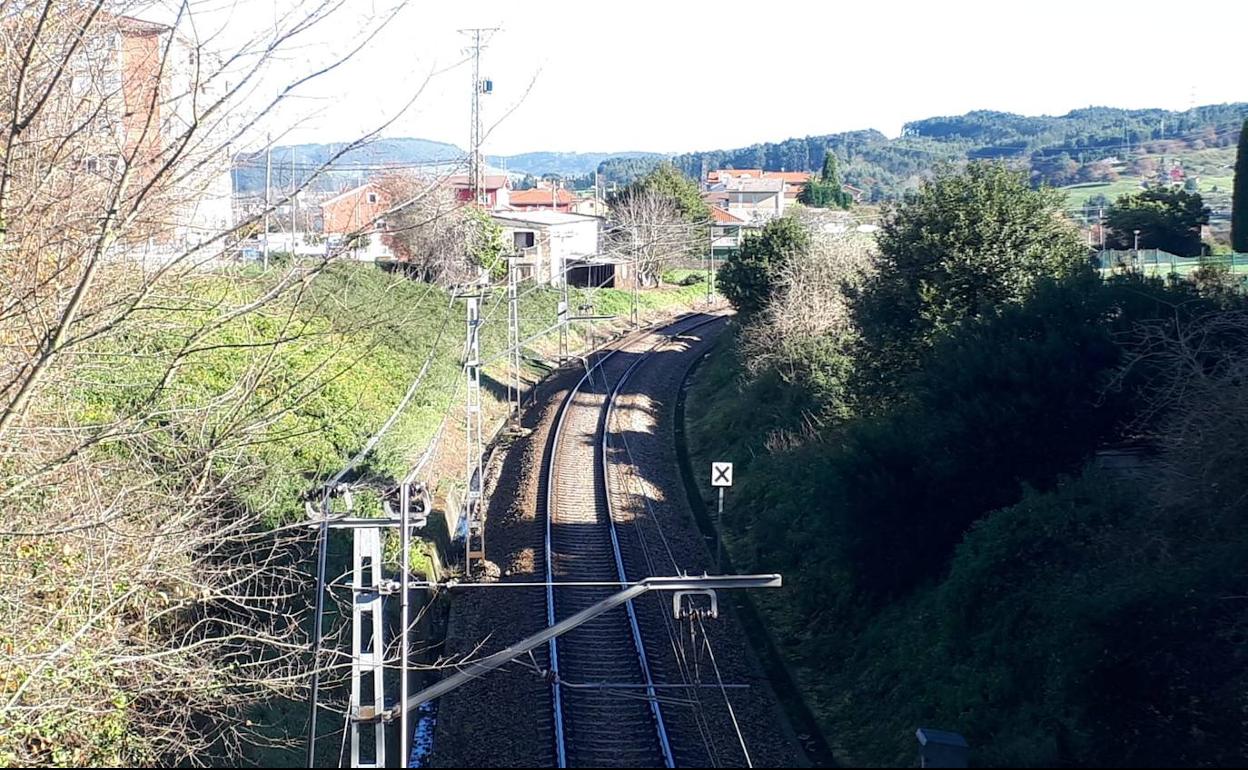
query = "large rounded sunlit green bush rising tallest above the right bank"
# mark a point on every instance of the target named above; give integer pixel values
(969, 245)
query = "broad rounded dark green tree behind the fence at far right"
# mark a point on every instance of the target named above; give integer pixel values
(1166, 218)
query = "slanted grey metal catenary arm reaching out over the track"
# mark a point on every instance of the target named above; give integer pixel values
(480, 668)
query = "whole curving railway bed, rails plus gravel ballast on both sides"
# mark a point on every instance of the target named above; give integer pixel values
(590, 497)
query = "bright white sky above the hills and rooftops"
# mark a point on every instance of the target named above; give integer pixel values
(672, 76)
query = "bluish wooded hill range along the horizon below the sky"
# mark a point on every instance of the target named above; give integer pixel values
(1093, 145)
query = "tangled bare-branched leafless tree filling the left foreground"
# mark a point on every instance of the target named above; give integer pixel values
(145, 601)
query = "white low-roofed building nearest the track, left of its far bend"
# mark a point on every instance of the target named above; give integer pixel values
(548, 243)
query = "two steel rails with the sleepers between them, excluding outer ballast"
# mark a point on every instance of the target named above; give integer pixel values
(608, 711)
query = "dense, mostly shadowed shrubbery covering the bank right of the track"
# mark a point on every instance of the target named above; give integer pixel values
(953, 556)
